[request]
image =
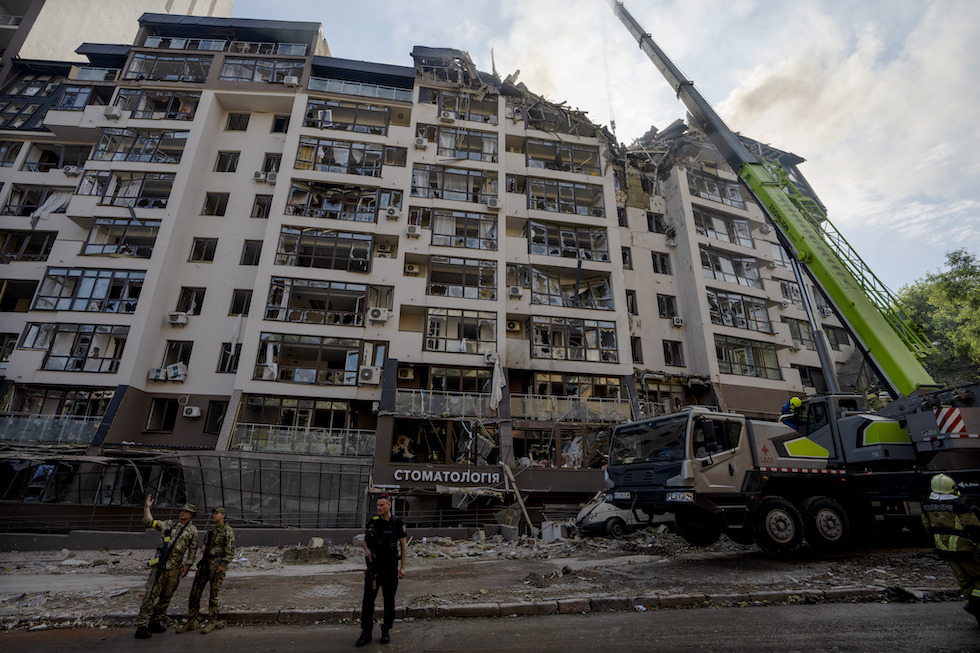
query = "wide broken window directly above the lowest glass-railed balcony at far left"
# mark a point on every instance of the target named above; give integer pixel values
(77, 347)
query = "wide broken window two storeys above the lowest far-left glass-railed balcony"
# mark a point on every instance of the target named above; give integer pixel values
(90, 290)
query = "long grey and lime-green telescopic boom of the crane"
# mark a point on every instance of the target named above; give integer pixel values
(893, 342)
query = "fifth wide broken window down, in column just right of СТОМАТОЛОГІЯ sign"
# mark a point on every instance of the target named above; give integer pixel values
(560, 338)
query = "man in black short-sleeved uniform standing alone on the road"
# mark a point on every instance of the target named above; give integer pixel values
(385, 549)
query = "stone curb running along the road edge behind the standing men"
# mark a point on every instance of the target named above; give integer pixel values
(572, 605)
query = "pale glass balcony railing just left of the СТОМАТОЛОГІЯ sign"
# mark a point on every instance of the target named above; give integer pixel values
(304, 440)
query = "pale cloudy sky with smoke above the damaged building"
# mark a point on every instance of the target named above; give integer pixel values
(881, 97)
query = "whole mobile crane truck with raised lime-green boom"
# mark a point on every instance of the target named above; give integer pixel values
(840, 469)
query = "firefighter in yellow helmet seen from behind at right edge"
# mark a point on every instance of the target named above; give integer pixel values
(954, 525)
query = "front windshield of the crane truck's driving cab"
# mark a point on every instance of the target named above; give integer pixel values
(660, 440)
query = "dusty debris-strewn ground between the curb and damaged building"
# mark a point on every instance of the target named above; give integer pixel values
(42, 587)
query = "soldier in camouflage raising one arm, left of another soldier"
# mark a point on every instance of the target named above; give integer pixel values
(175, 556)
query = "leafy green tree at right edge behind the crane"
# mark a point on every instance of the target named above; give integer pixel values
(947, 304)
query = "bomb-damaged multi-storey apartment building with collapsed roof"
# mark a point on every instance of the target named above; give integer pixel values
(241, 271)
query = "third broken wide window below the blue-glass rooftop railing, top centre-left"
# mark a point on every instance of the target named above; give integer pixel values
(340, 201)
